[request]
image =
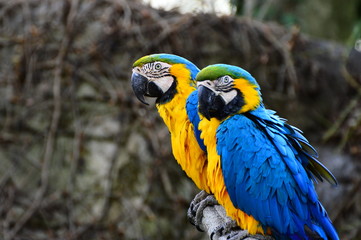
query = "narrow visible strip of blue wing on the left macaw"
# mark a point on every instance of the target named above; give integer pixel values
(192, 112)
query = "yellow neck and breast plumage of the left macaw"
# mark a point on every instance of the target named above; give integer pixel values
(185, 147)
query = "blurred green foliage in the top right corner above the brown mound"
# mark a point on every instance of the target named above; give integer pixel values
(330, 19)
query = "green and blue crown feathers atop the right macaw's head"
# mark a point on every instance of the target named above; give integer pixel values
(213, 72)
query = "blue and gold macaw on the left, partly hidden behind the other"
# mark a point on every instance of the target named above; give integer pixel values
(170, 79)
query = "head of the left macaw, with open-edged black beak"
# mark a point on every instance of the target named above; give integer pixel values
(161, 76)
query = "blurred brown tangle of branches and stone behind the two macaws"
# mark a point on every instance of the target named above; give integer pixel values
(82, 158)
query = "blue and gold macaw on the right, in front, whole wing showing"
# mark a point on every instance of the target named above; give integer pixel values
(257, 163)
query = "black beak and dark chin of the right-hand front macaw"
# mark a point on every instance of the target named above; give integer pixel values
(209, 104)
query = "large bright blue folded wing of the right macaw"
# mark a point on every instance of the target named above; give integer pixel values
(266, 177)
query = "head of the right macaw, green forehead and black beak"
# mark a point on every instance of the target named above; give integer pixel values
(224, 90)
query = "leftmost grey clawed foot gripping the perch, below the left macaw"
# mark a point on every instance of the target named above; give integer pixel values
(199, 203)
